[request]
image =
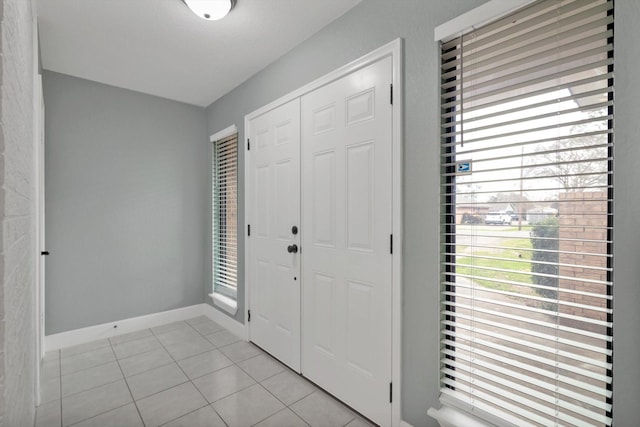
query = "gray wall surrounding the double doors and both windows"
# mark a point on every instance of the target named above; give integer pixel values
(376, 22)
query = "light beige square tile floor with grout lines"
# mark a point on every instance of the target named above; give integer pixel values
(191, 374)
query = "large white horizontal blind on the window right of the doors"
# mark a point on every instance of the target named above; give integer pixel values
(527, 160)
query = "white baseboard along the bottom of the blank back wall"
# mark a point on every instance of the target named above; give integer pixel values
(108, 330)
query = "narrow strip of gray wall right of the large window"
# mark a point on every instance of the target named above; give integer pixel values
(626, 289)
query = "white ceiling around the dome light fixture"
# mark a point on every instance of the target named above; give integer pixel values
(160, 47)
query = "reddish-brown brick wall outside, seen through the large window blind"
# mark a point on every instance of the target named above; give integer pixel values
(588, 210)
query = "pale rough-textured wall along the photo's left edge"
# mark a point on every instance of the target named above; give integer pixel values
(17, 251)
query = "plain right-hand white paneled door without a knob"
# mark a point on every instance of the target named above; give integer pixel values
(346, 229)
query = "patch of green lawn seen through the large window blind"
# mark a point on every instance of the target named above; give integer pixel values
(513, 257)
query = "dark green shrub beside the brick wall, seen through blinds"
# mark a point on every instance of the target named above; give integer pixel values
(544, 237)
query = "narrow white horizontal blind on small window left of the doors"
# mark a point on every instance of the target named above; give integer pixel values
(225, 216)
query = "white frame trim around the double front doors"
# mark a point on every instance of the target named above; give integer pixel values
(393, 50)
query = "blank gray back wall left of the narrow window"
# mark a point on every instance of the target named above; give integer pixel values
(126, 203)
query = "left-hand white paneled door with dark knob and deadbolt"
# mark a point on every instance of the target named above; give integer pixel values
(273, 188)
